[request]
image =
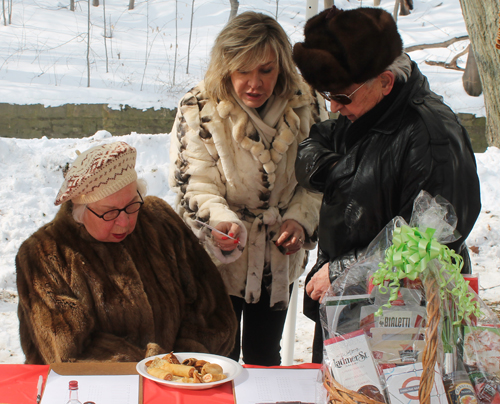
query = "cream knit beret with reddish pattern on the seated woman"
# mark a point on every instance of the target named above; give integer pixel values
(99, 172)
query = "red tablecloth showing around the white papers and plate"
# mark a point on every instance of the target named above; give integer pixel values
(18, 386)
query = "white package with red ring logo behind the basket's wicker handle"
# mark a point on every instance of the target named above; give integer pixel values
(403, 382)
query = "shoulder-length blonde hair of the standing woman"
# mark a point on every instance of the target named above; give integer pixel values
(244, 43)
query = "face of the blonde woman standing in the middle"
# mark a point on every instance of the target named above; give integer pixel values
(254, 87)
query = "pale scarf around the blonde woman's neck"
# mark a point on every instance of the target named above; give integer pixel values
(268, 117)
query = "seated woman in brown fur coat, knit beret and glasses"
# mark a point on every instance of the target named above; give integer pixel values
(117, 276)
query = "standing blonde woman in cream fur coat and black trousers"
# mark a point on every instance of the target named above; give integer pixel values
(233, 149)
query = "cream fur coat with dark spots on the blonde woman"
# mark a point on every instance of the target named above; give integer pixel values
(222, 171)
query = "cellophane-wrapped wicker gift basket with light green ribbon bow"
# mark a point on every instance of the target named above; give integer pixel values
(403, 325)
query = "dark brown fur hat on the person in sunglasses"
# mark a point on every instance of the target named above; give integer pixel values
(346, 47)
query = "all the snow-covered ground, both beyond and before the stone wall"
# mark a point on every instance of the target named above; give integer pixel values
(43, 60)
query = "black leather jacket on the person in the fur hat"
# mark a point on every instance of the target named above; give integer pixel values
(371, 170)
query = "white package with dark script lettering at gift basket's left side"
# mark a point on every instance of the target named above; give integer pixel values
(352, 365)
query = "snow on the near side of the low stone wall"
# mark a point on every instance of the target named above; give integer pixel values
(31, 176)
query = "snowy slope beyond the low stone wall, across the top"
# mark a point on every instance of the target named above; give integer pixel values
(43, 52)
